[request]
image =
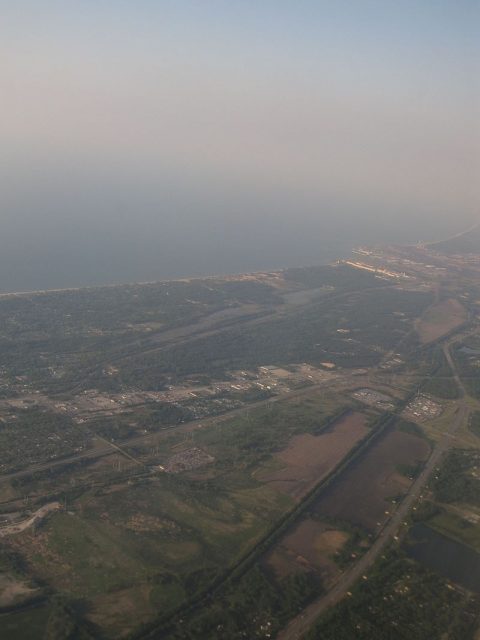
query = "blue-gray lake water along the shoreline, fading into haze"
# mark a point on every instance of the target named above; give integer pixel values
(77, 245)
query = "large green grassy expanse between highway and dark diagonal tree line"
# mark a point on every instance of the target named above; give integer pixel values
(144, 545)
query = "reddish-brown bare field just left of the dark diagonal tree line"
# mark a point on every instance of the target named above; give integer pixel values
(308, 458)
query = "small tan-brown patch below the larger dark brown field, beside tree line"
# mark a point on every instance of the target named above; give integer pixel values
(309, 547)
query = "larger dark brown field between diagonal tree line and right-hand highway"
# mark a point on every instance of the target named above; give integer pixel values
(360, 494)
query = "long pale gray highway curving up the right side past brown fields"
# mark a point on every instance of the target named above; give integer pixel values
(304, 621)
